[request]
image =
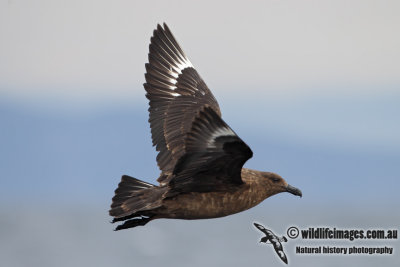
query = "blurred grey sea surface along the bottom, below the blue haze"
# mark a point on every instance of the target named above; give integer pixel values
(39, 235)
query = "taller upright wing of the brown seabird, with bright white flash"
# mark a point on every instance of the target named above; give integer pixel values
(176, 93)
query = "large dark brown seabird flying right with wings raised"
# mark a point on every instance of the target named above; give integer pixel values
(200, 156)
